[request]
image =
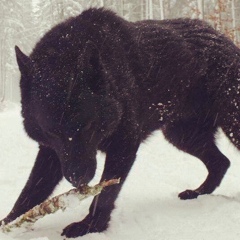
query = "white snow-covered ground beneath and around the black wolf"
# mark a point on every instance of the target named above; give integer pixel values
(148, 207)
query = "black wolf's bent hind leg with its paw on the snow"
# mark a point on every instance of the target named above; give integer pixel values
(199, 142)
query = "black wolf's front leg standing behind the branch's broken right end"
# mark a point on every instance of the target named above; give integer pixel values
(119, 160)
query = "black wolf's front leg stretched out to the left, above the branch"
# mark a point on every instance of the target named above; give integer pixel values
(45, 175)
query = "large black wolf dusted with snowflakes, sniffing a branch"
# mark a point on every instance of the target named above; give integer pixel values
(97, 81)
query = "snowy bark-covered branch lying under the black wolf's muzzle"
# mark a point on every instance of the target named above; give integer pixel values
(54, 204)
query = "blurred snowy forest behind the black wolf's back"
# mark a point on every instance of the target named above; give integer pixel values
(23, 22)
